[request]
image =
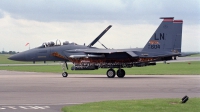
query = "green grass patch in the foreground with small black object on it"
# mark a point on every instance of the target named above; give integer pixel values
(153, 105)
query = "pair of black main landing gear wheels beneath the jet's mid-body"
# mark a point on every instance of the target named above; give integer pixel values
(111, 73)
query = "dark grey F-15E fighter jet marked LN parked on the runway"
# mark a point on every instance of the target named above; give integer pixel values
(164, 44)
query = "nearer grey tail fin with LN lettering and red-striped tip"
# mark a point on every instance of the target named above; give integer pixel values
(162, 38)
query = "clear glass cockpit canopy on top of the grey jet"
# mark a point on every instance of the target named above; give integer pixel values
(56, 42)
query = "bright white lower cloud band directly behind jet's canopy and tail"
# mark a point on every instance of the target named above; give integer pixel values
(15, 33)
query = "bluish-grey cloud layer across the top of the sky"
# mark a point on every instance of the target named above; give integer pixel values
(121, 11)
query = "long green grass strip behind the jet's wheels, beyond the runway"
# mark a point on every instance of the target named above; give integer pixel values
(175, 68)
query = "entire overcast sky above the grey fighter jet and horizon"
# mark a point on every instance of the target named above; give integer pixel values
(133, 21)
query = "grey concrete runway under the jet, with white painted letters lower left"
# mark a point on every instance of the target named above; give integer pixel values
(48, 92)
